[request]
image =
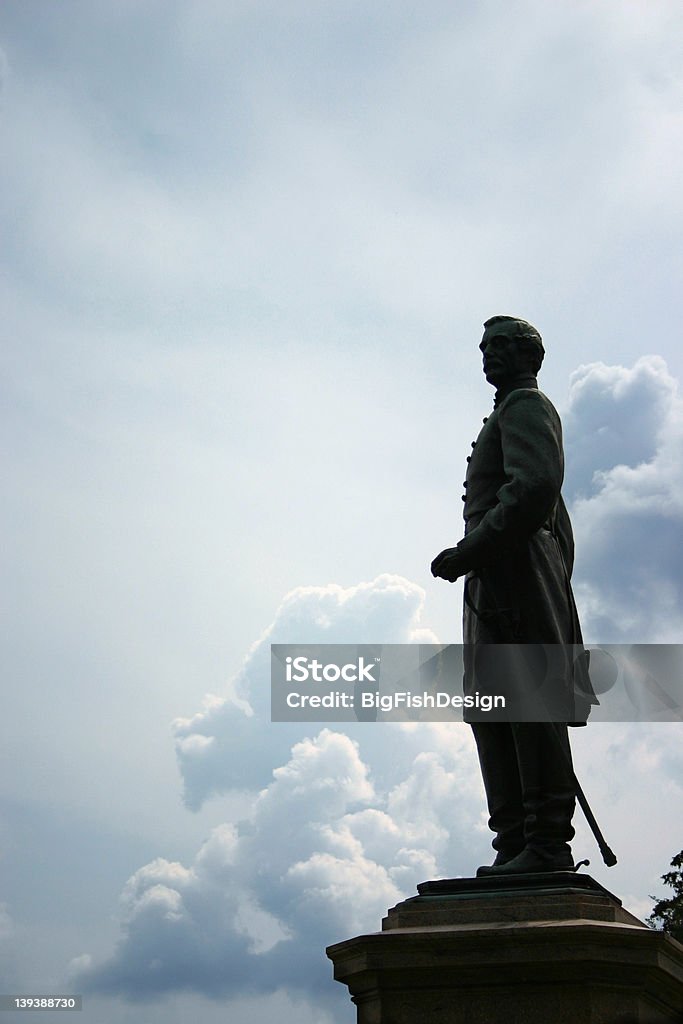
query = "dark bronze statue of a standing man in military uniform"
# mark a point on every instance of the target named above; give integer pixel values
(518, 557)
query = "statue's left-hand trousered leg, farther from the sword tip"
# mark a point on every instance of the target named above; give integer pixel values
(498, 759)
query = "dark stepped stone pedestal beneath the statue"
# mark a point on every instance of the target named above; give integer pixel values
(528, 950)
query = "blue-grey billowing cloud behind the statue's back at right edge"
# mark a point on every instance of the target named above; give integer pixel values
(626, 488)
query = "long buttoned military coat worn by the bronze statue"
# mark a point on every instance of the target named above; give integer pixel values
(519, 549)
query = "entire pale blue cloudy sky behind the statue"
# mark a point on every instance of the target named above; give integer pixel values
(247, 252)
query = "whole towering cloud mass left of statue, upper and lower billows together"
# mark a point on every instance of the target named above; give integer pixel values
(341, 828)
